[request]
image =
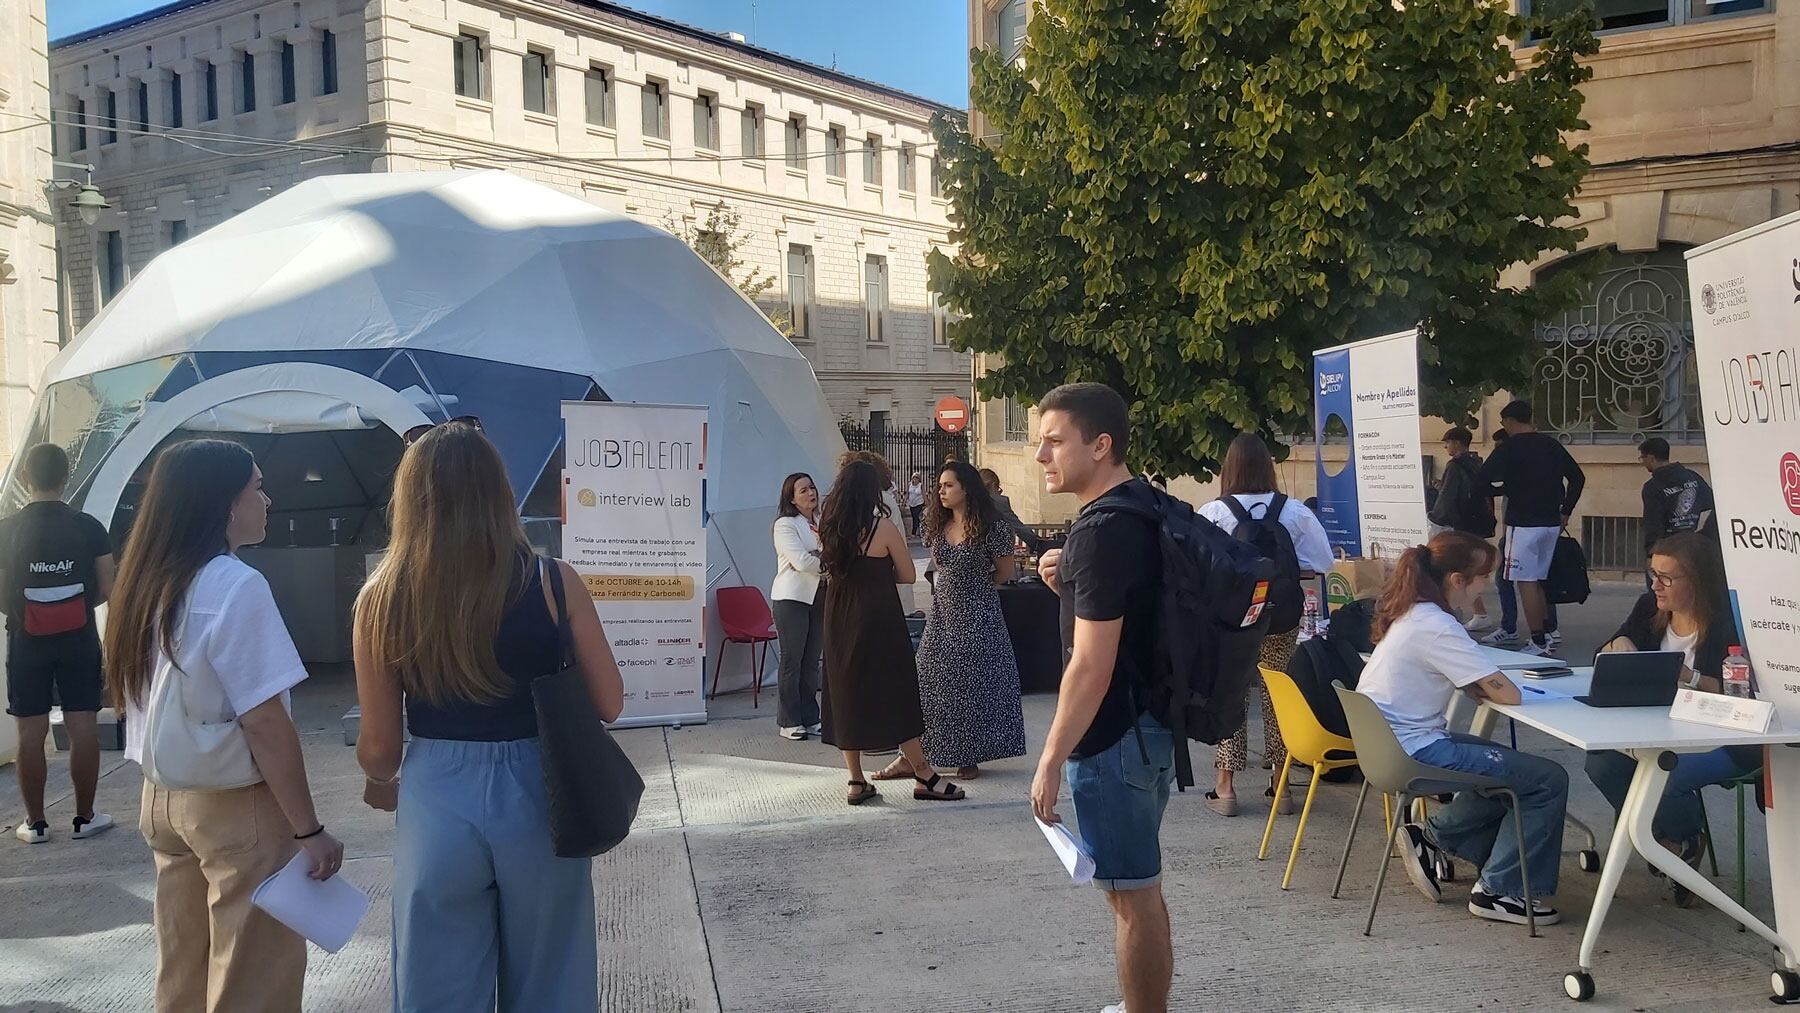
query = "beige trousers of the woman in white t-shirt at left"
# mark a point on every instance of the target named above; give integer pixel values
(215, 951)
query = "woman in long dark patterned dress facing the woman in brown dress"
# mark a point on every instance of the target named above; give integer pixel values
(967, 674)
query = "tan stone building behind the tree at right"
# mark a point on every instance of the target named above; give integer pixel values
(1695, 134)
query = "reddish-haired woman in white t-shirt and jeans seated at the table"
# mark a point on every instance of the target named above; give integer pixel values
(1423, 658)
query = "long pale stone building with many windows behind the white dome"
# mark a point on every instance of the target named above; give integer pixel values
(204, 109)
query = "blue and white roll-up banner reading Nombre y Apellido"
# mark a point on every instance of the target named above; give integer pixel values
(1367, 395)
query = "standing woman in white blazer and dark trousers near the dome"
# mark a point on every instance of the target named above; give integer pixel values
(798, 607)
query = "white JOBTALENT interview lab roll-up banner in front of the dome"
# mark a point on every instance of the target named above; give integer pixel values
(634, 485)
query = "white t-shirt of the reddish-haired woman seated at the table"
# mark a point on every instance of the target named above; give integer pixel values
(1416, 670)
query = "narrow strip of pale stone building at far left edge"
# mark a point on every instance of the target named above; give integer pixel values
(28, 231)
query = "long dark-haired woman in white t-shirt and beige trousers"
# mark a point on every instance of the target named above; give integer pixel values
(202, 665)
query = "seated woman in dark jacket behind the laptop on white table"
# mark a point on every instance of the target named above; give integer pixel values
(1687, 611)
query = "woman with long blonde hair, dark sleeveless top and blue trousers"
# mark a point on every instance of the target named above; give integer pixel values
(449, 634)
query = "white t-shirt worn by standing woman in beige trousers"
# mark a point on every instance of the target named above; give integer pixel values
(231, 647)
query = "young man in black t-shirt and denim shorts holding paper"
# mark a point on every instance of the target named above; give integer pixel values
(1108, 575)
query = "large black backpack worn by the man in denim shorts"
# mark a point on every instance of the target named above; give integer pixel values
(1212, 616)
